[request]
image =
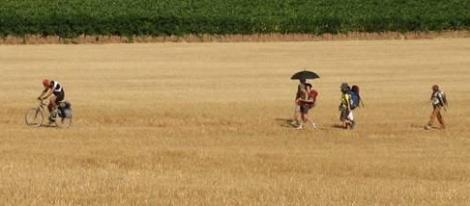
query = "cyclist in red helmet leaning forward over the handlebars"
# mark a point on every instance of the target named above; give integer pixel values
(55, 91)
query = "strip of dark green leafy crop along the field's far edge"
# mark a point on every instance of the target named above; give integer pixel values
(70, 18)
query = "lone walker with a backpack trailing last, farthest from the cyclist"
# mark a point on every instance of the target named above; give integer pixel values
(438, 101)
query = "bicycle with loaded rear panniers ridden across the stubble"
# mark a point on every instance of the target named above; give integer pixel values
(63, 119)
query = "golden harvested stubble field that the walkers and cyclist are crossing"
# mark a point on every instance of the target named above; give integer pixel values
(206, 124)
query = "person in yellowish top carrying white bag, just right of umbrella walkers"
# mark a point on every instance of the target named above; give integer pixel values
(346, 115)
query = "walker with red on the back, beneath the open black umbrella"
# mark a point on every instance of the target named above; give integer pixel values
(306, 101)
